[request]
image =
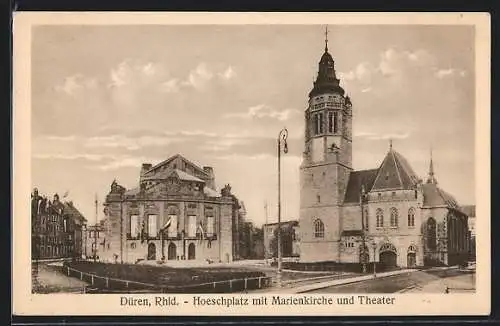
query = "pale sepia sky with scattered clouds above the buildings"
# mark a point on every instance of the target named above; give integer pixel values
(108, 98)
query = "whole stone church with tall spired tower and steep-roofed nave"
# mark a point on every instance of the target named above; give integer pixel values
(386, 214)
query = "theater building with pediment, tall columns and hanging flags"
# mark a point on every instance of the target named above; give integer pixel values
(175, 213)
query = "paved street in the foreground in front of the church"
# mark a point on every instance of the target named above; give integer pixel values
(418, 281)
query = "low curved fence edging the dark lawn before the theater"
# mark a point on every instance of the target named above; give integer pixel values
(104, 284)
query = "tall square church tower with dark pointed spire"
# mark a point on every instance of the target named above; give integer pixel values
(326, 164)
